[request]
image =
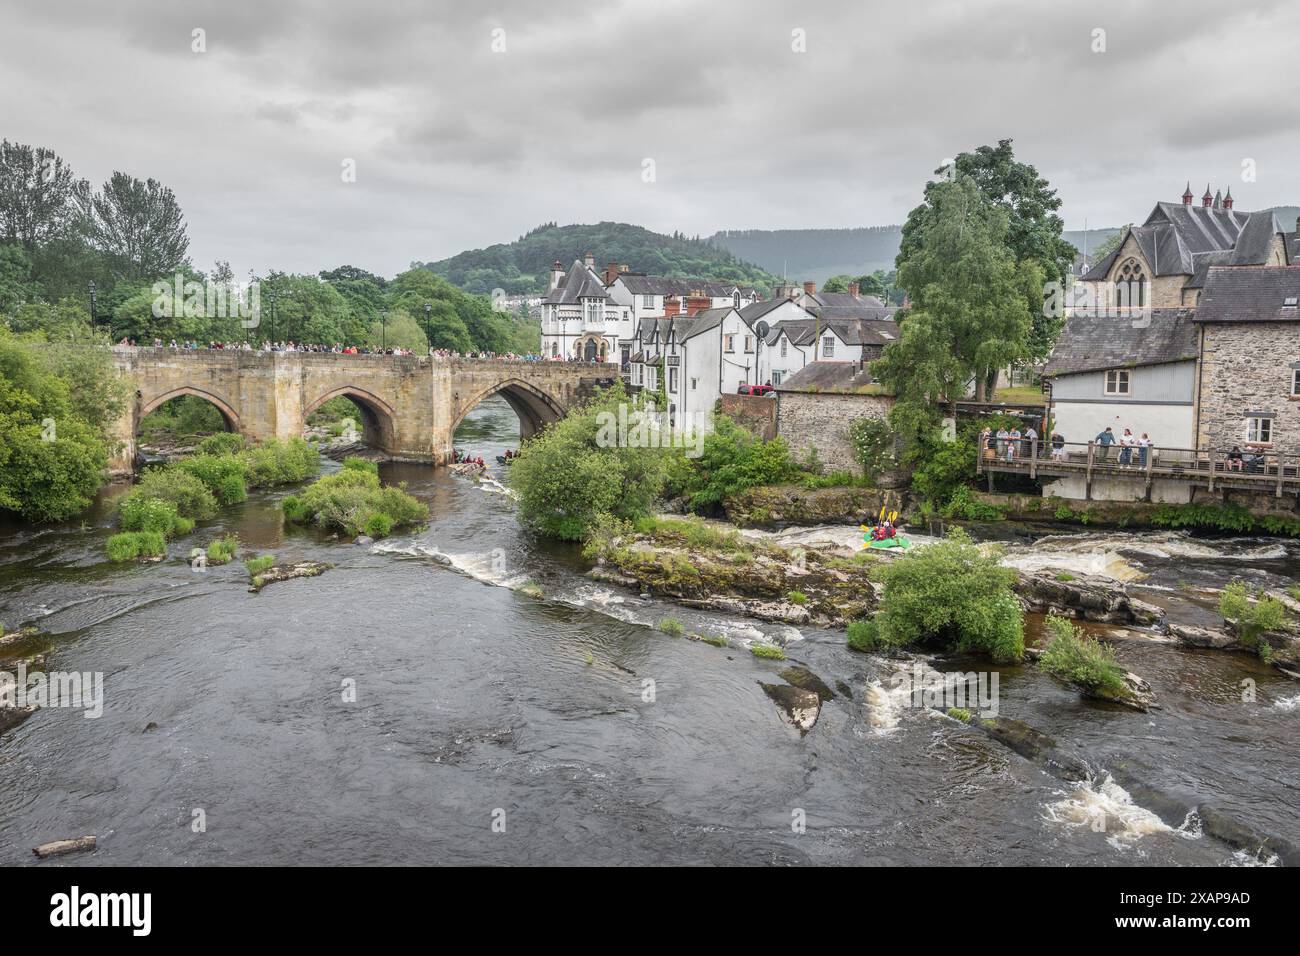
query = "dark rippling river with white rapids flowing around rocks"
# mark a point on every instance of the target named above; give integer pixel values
(491, 726)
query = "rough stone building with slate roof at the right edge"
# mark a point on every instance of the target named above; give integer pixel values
(1249, 378)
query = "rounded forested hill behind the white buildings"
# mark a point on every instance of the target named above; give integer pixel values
(525, 266)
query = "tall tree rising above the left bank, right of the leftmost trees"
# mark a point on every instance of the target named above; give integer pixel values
(138, 227)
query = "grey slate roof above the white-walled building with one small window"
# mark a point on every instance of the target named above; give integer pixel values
(1090, 344)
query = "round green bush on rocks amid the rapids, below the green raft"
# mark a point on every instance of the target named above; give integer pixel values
(954, 594)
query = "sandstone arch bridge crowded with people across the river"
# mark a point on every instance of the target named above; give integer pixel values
(410, 406)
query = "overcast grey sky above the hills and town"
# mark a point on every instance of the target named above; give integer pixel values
(458, 146)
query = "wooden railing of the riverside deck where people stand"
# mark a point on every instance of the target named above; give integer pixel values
(1247, 468)
